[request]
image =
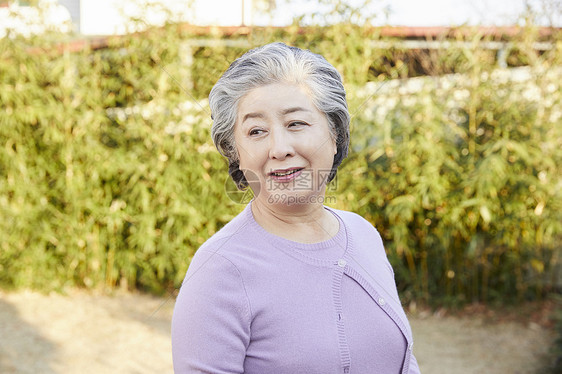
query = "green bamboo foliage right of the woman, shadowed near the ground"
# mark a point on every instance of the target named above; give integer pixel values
(458, 183)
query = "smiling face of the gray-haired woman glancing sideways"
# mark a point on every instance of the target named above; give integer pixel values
(284, 144)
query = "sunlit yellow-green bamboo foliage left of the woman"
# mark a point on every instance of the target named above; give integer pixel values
(100, 184)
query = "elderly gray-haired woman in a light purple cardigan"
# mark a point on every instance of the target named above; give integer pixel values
(289, 285)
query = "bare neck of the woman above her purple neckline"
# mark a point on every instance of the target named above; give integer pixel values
(307, 223)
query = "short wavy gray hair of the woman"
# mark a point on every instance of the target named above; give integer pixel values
(274, 63)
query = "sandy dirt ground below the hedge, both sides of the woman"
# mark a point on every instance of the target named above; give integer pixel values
(130, 334)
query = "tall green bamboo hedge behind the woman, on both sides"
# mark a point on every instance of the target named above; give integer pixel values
(108, 175)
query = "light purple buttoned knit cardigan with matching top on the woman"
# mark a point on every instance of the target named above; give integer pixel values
(255, 303)
